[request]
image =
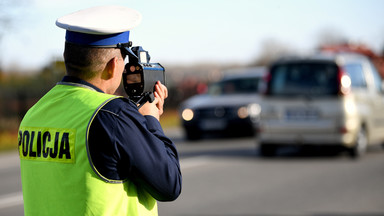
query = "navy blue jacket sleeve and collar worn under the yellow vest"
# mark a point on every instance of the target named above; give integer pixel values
(124, 144)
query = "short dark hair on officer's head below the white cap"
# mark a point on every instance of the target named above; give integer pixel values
(86, 62)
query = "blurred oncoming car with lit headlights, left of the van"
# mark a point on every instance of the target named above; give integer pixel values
(231, 106)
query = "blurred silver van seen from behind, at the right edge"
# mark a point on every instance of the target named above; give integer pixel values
(327, 99)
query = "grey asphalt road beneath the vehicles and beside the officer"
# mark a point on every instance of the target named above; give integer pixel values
(226, 176)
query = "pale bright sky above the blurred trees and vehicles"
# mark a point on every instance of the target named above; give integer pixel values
(191, 32)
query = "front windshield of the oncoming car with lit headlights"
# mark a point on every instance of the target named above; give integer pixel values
(235, 86)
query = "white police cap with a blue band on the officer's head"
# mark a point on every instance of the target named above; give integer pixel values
(102, 26)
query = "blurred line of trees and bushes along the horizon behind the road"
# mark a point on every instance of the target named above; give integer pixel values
(20, 90)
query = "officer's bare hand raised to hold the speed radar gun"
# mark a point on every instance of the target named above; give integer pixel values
(155, 108)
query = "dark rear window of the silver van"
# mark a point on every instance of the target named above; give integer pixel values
(304, 79)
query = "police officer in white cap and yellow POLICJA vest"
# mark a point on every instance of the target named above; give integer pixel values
(85, 151)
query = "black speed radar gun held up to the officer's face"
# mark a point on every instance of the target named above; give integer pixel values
(140, 76)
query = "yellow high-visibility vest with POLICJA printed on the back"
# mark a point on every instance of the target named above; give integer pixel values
(57, 173)
